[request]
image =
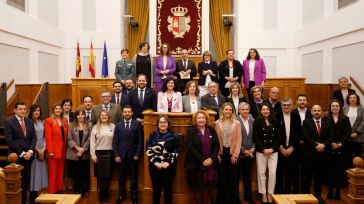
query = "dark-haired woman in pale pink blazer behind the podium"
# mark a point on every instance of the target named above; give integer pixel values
(169, 100)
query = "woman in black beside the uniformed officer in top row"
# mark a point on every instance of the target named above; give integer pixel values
(143, 62)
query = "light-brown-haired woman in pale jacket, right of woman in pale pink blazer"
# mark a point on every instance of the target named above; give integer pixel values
(191, 99)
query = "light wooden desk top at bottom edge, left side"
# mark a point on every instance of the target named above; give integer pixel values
(58, 198)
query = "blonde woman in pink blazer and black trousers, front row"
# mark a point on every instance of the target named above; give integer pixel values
(229, 133)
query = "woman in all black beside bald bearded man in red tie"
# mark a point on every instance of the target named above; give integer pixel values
(338, 149)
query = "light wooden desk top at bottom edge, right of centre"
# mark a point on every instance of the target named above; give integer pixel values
(294, 198)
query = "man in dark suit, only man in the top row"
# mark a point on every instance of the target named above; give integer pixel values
(184, 67)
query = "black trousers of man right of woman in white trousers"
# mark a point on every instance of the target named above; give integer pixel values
(287, 174)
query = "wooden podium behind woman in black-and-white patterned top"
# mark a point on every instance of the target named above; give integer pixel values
(180, 122)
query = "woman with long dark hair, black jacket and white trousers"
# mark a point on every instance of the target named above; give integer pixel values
(267, 141)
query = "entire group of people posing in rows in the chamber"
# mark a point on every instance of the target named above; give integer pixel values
(295, 145)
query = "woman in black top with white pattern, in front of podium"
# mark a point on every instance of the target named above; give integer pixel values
(162, 148)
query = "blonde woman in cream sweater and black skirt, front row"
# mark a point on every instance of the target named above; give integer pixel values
(101, 153)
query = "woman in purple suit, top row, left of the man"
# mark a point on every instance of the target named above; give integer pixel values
(164, 66)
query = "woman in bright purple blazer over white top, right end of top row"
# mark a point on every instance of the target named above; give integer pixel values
(254, 72)
